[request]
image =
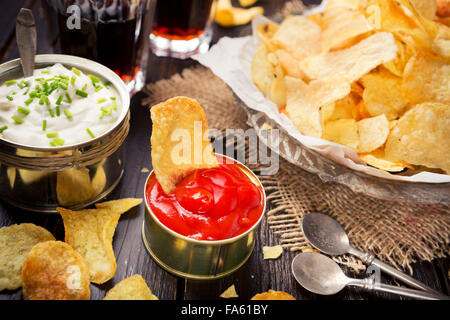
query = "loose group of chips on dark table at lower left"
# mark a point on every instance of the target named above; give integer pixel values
(46, 269)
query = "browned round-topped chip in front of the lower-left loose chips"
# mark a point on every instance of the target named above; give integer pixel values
(55, 271)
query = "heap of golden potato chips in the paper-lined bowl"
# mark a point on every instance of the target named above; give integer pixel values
(373, 75)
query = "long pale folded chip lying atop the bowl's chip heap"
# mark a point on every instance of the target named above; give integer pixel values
(352, 63)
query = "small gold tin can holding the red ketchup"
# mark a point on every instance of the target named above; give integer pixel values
(199, 259)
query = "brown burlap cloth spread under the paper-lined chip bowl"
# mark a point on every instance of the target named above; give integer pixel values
(397, 233)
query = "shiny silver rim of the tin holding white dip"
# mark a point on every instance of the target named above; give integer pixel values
(84, 64)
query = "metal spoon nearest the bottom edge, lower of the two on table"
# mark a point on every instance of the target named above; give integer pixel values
(320, 274)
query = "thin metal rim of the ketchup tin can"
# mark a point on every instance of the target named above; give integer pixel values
(211, 242)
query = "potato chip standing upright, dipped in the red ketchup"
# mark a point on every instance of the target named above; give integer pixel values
(179, 141)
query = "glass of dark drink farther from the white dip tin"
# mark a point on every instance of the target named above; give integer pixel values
(182, 28)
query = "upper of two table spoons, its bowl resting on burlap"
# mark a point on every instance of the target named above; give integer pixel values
(326, 235)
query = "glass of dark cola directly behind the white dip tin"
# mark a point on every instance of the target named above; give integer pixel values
(114, 33)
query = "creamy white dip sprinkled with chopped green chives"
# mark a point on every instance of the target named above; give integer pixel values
(57, 107)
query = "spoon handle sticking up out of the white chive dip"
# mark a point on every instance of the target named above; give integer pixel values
(26, 40)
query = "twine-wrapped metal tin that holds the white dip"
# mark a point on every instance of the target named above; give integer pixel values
(40, 178)
